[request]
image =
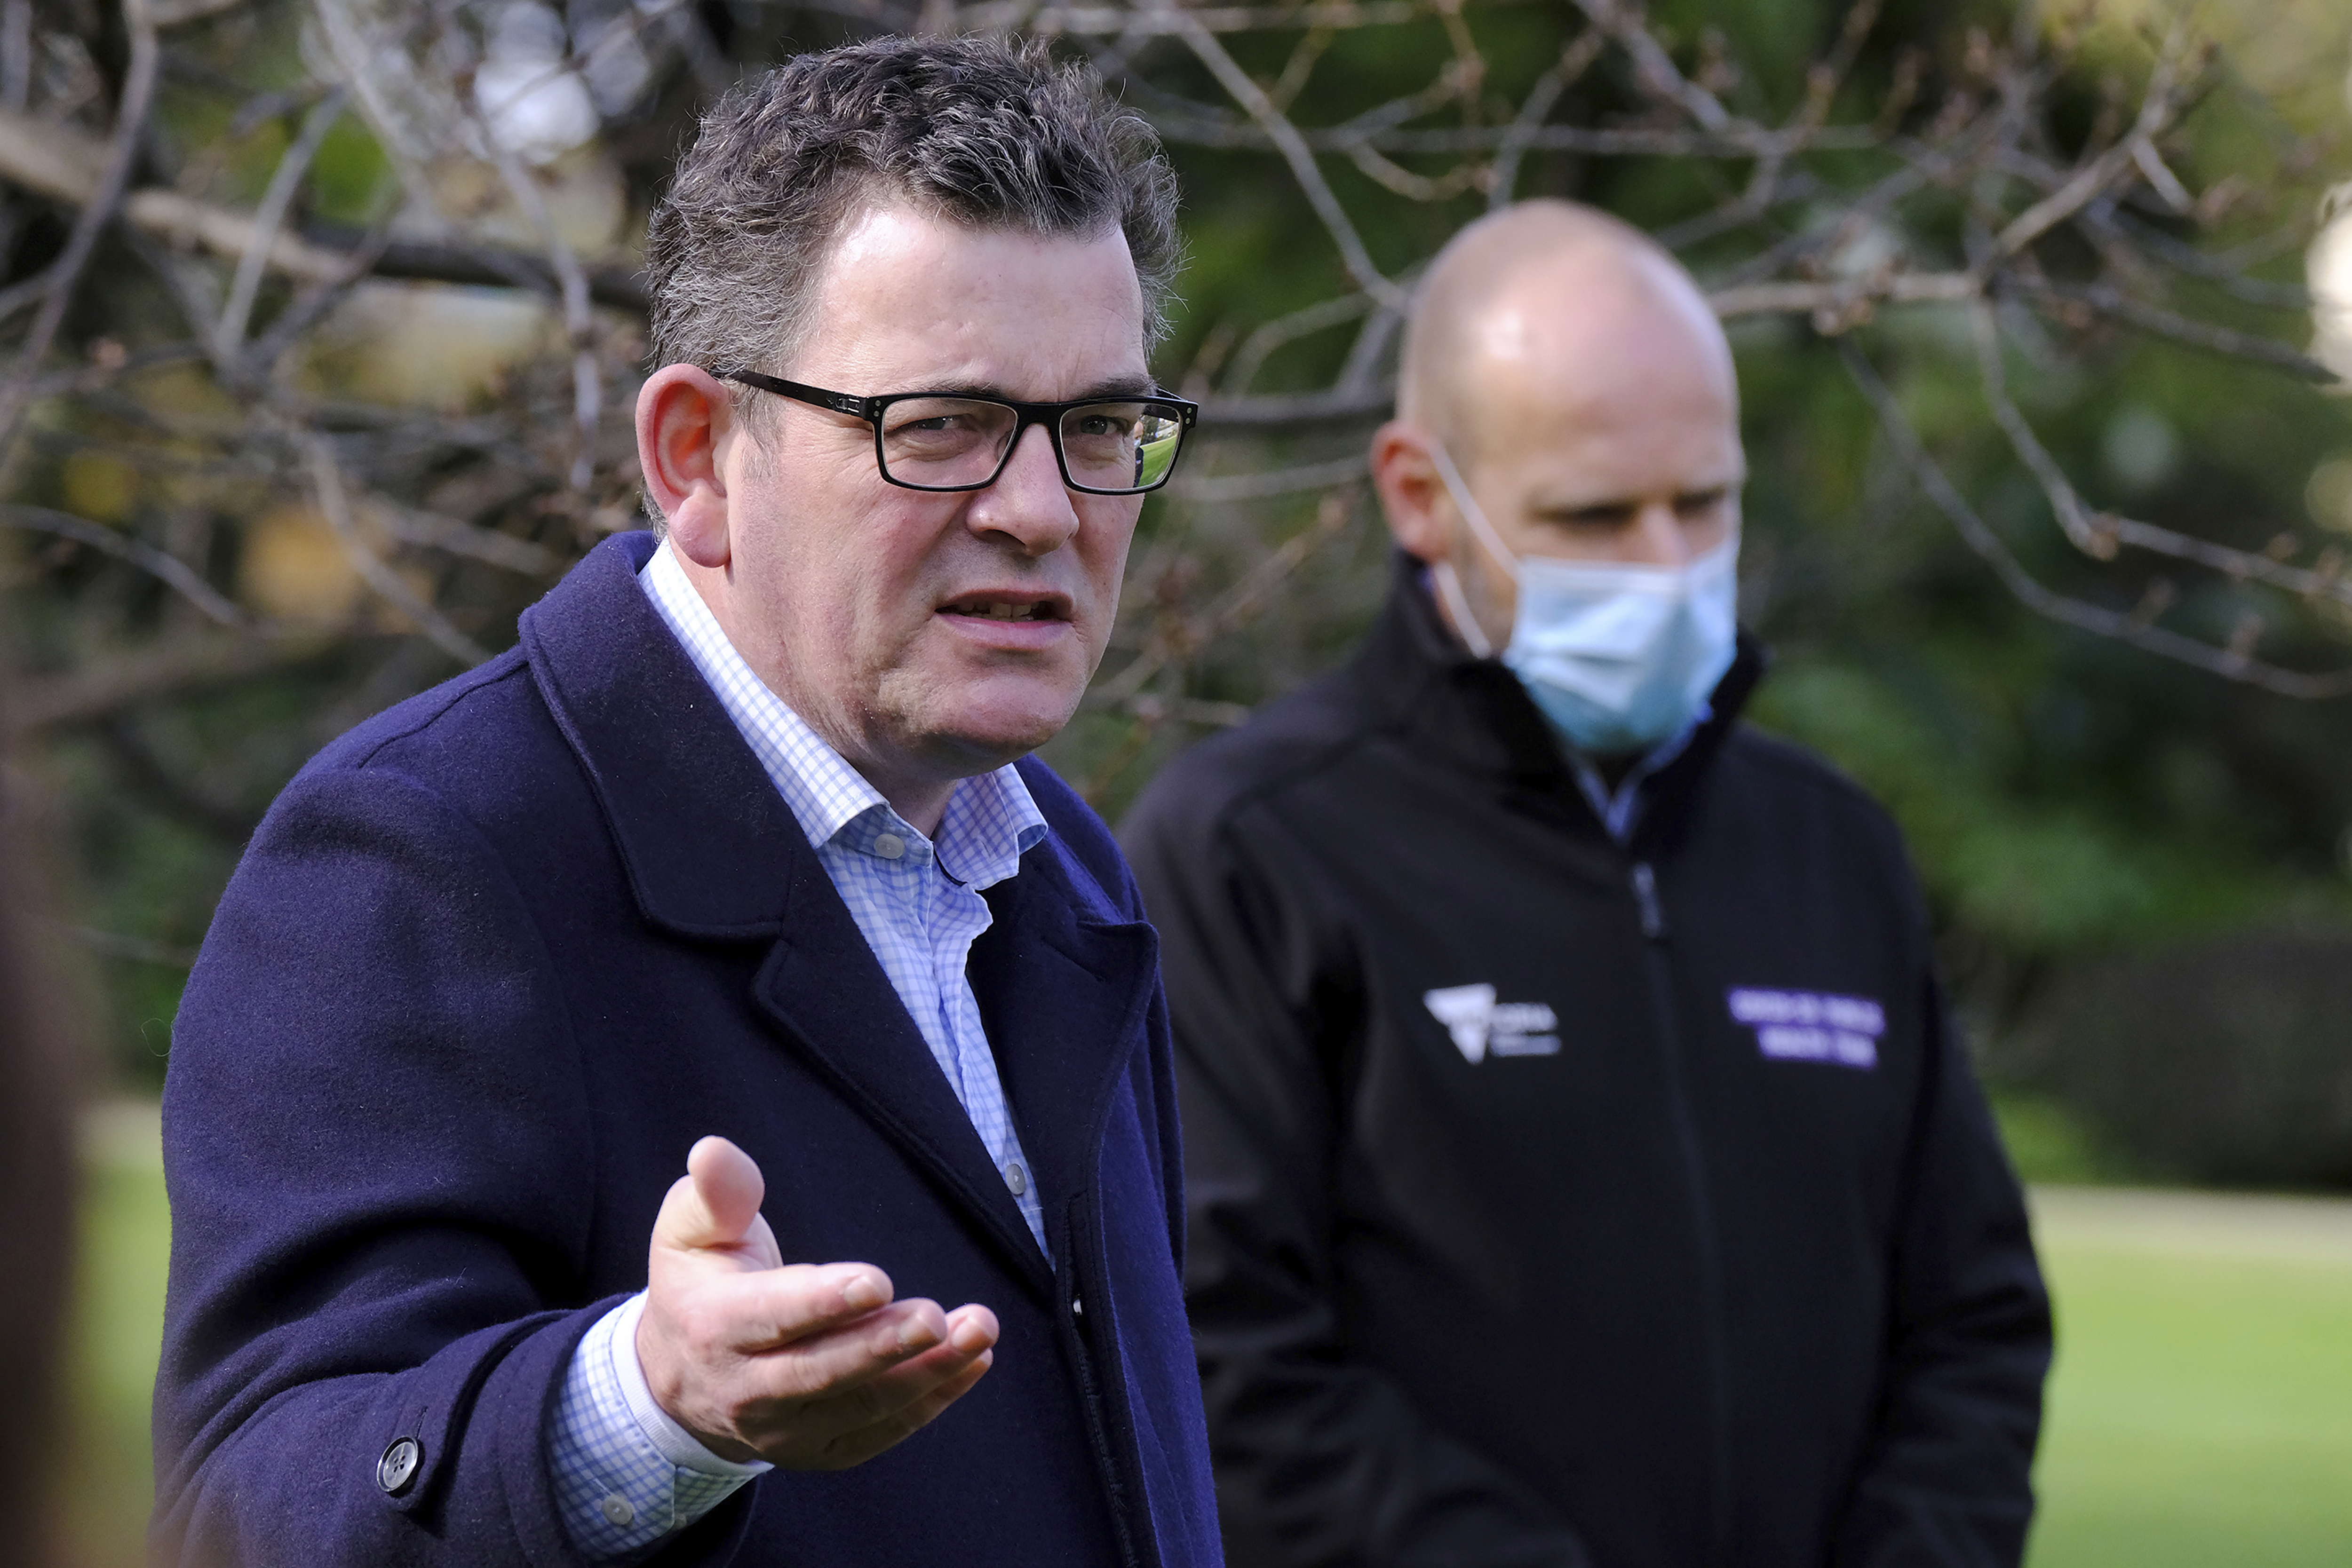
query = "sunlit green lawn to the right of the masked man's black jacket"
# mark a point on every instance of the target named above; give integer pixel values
(2203, 1405)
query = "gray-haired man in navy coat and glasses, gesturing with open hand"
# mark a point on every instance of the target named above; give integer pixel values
(737, 866)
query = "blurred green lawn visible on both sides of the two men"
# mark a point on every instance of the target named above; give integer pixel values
(2200, 1414)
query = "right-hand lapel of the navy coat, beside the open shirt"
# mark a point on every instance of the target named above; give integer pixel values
(1064, 1007)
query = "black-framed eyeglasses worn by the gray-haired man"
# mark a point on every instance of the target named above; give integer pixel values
(954, 441)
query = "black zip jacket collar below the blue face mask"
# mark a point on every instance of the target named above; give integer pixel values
(1474, 713)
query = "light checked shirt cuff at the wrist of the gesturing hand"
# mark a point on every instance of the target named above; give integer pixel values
(624, 1473)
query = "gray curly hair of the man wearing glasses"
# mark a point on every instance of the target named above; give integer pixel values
(982, 133)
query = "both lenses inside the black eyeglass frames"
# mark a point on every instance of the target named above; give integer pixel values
(954, 443)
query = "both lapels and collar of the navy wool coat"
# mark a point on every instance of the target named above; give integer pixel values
(716, 855)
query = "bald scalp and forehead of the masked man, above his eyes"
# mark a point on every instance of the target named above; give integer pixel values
(1558, 302)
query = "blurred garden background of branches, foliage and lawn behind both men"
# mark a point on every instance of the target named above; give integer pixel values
(321, 326)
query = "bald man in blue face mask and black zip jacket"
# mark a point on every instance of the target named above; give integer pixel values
(1582, 1167)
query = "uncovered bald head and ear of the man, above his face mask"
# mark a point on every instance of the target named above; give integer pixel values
(1582, 389)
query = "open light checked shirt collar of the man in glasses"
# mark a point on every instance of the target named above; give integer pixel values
(989, 824)
